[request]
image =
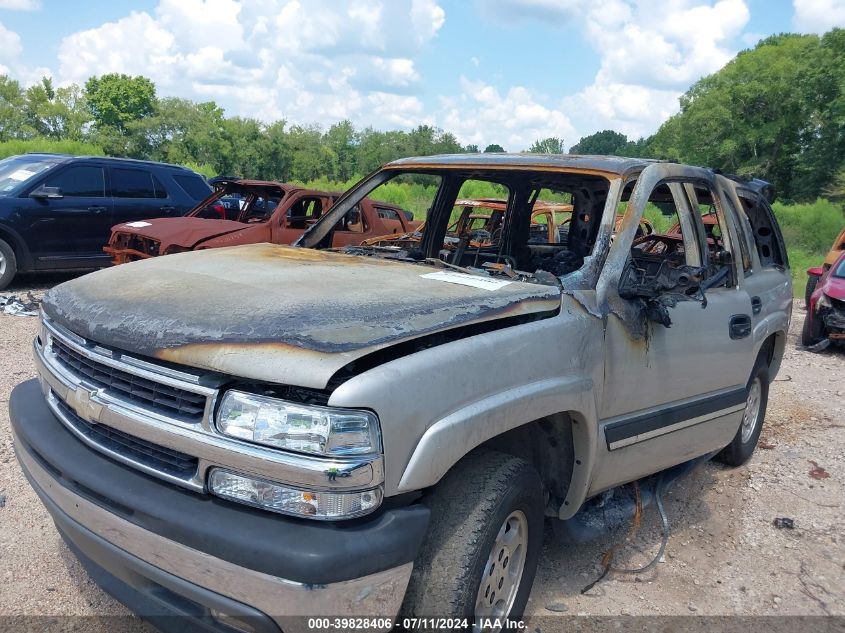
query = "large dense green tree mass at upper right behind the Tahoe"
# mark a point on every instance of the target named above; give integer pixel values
(776, 111)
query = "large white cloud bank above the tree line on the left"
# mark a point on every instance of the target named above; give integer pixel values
(316, 61)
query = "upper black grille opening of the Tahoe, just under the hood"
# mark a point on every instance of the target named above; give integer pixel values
(164, 399)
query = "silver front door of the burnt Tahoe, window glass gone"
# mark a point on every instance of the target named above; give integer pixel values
(678, 391)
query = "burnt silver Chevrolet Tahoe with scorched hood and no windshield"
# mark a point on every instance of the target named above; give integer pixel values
(250, 433)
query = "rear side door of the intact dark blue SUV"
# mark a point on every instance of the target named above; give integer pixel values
(139, 195)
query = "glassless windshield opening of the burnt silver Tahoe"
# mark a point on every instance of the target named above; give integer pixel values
(527, 224)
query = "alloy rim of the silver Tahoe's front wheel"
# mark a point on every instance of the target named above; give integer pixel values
(503, 571)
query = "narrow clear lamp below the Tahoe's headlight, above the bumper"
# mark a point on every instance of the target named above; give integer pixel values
(286, 500)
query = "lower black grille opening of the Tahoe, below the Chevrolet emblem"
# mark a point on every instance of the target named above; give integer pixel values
(158, 458)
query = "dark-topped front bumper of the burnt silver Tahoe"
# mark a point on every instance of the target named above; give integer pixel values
(166, 551)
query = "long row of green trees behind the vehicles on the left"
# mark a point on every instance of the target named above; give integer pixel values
(123, 116)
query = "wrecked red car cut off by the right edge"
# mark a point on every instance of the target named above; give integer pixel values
(825, 322)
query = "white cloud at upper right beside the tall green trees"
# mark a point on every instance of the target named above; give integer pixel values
(650, 52)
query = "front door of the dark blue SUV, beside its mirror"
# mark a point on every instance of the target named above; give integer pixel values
(71, 230)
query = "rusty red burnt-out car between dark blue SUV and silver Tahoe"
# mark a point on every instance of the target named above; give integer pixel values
(252, 212)
